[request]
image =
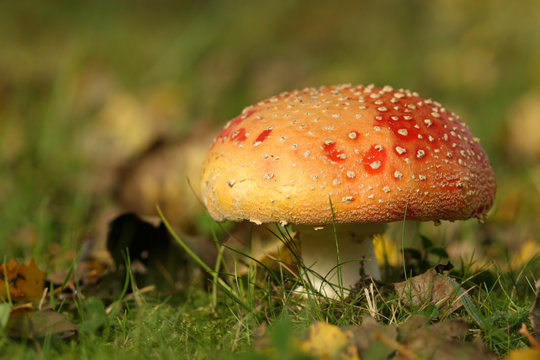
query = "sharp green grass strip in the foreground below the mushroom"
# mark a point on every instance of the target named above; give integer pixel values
(199, 323)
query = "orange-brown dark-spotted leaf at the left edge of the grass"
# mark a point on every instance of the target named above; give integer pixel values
(26, 282)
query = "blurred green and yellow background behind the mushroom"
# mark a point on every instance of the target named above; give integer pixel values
(86, 85)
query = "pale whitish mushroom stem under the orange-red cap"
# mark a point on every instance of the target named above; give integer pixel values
(356, 255)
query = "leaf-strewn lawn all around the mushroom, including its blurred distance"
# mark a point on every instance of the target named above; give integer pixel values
(110, 107)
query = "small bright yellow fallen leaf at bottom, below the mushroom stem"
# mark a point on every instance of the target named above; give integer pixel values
(327, 341)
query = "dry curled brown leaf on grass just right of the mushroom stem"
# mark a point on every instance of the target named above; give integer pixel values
(429, 288)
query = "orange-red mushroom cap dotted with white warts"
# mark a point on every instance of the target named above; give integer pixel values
(348, 153)
